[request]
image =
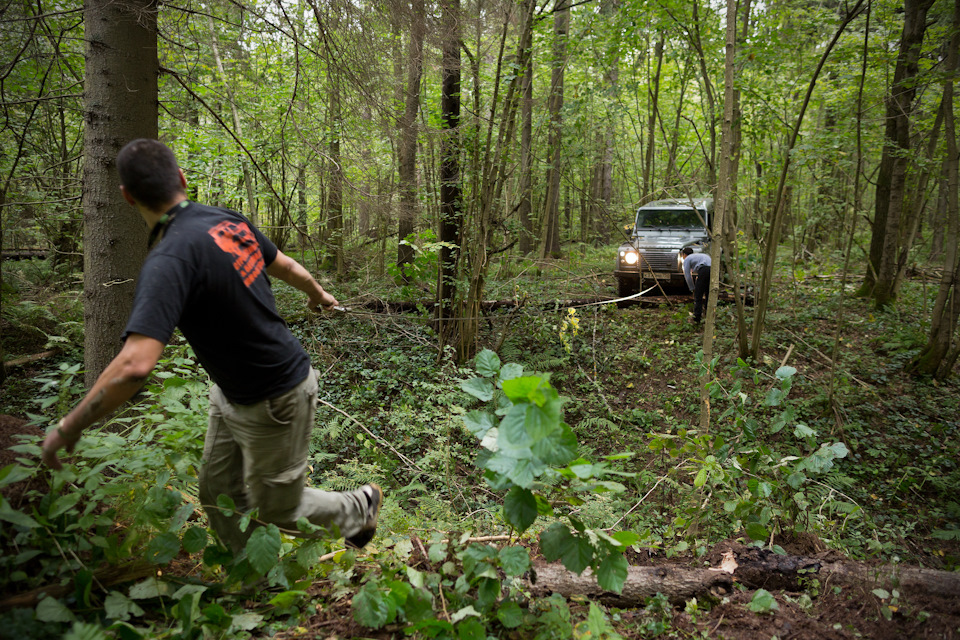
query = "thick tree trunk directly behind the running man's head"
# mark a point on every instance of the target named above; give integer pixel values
(120, 104)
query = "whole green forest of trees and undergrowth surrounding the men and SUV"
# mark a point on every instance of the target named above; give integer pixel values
(459, 175)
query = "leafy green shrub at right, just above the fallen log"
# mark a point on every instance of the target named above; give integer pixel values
(767, 482)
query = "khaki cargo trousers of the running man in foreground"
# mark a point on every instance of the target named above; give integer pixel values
(257, 455)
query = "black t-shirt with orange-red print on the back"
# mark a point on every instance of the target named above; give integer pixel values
(208, 277)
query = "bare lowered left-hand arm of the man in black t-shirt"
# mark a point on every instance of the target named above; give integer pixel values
(122, 378)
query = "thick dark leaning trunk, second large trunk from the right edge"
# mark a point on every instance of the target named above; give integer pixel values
(880, 277)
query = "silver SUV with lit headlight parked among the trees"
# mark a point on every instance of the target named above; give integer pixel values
(661, 230)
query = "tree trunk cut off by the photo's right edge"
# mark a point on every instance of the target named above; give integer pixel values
(941, 350)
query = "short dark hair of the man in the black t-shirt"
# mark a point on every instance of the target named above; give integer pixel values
(149, 172)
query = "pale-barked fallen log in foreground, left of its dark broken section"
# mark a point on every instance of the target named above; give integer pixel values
(678, 584)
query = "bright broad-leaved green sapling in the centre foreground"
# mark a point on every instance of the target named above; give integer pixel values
(531, 453)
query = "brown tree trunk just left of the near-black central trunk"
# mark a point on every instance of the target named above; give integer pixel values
(407, 161)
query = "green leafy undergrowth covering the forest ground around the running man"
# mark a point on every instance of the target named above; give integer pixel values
(803, 456)
